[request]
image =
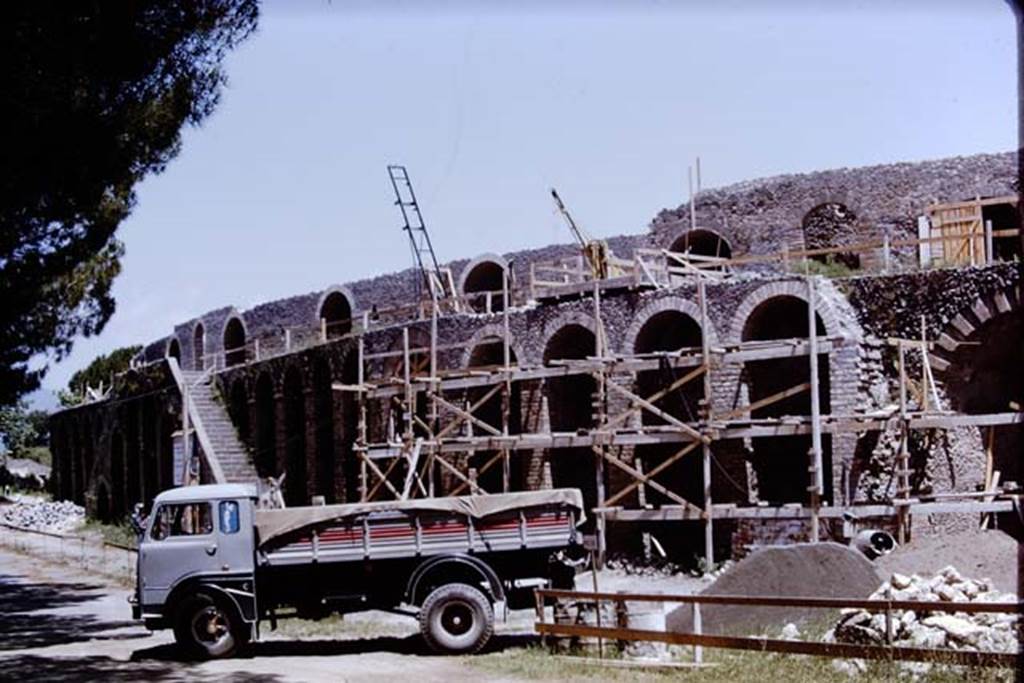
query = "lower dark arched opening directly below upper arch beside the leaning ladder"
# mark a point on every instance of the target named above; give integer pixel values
(490, 466)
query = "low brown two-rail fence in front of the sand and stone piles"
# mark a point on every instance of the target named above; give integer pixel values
(765, 645)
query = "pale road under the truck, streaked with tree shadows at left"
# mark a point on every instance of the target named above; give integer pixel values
(59, 624)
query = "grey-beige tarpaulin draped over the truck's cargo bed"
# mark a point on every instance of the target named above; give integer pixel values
(275, 524)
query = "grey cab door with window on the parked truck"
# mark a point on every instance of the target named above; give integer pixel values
(181, 543)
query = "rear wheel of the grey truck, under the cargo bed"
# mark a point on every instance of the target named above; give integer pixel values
(457, 619)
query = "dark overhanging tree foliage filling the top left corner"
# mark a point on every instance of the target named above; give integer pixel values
(95, 97)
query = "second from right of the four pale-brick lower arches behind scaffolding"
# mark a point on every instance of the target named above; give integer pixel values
(671, 331)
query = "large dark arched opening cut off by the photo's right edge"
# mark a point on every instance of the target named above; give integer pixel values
(985, 377)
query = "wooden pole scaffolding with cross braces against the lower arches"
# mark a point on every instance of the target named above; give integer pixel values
(430, 425)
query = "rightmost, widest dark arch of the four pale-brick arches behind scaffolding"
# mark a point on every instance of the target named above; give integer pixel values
(783, 463)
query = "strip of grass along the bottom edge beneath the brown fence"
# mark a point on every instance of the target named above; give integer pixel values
(723, 667)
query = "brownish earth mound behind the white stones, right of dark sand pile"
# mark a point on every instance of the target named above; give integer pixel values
(982, 554)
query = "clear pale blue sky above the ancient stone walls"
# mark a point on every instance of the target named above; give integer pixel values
(284, 190)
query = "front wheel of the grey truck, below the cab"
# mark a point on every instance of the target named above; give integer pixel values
(208, 630)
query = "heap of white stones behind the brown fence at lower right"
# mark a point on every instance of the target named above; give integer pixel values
(923, 628)
